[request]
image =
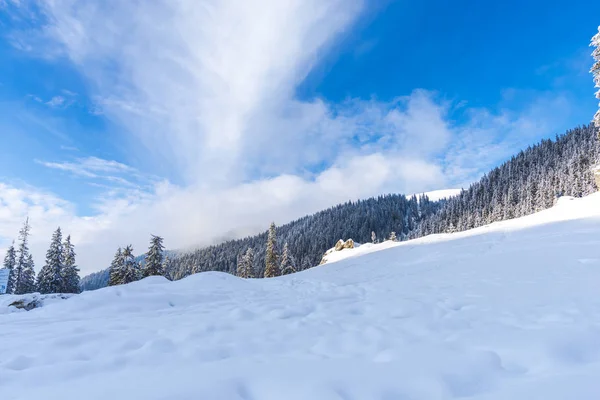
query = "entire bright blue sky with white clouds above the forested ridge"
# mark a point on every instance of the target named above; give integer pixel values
(206, 120)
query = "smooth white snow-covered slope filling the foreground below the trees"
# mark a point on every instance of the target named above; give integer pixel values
(506, 311)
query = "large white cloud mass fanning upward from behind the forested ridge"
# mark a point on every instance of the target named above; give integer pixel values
(208, 88)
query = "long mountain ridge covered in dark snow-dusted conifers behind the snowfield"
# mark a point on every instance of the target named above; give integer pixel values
(530, 181)
